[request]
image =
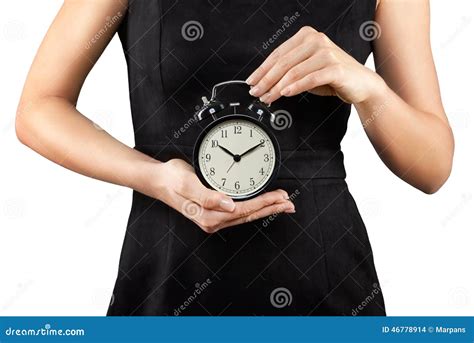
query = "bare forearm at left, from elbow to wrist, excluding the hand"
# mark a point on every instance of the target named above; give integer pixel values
(55, 129)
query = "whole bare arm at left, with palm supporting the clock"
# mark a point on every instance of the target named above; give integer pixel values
(48, 122)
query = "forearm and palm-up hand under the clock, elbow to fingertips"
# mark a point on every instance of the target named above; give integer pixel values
(56, 130)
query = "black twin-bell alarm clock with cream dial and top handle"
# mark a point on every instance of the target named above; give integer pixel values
(236, 153)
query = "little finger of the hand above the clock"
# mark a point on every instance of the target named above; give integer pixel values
(326, 76)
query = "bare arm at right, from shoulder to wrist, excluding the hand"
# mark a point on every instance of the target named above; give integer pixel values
(412, 136)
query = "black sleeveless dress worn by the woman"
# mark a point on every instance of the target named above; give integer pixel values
(317, 261)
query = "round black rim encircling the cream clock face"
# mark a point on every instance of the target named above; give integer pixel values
(229, 117)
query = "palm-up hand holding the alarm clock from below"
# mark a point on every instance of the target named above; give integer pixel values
(177, 185)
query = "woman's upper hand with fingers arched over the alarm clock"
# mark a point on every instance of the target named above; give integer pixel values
(310, 61)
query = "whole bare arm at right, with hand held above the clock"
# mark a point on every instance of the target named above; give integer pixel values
(400, 107)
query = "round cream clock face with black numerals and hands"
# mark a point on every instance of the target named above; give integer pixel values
(237, 157)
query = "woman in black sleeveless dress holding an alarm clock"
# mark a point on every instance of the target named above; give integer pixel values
(309, 253)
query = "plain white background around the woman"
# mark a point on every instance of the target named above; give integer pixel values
(61, 233)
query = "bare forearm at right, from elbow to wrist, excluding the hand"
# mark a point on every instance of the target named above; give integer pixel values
(417, 146)
